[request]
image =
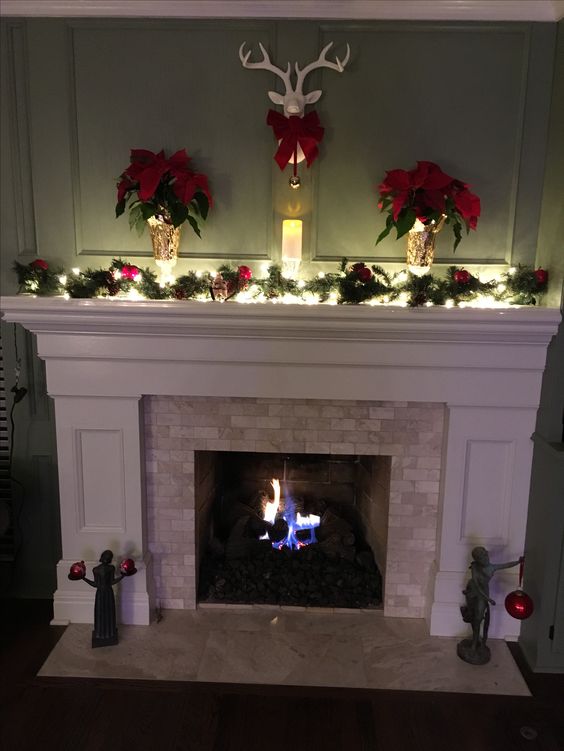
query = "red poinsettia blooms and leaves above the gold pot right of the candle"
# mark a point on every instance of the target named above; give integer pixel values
(428, 195)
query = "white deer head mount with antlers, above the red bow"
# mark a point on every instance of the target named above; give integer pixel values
(294, 100)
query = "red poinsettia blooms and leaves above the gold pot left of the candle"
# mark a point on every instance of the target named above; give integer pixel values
(168, 189)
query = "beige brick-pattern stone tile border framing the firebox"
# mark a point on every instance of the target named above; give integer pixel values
(410, 433)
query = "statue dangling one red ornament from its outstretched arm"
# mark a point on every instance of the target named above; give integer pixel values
(476, 611)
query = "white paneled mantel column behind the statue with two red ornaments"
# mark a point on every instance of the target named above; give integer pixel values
(102, 496)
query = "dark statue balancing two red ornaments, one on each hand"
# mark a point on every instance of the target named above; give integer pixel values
(105, 633)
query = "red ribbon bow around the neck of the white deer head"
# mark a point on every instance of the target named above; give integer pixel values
(295, 131)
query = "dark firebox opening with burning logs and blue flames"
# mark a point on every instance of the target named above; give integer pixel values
(291, 529)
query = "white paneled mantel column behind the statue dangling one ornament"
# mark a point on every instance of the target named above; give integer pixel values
(486, 477)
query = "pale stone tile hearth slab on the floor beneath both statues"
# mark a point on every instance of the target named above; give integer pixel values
(279, 647)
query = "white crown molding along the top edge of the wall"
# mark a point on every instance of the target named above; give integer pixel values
(462, 10)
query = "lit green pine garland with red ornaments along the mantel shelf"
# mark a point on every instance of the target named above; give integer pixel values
(351, 285)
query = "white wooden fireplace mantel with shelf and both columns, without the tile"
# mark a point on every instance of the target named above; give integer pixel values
(102, 356)
